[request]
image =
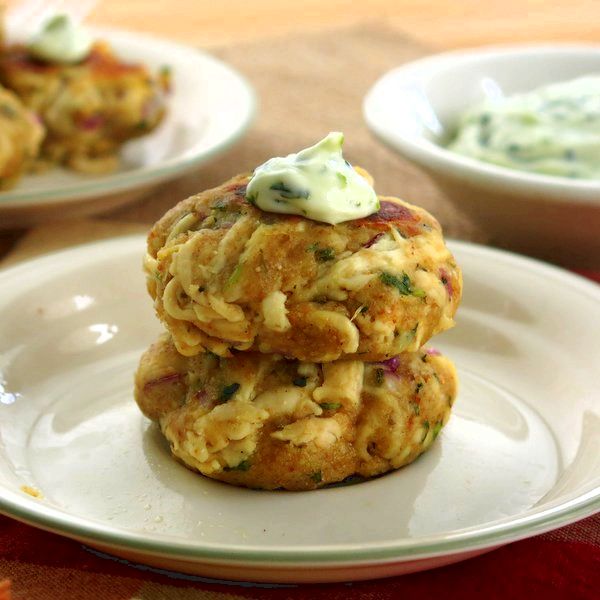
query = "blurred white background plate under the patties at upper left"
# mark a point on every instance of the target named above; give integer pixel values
(209, 108)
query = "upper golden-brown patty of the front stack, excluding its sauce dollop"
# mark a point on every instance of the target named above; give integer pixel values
(227, 276)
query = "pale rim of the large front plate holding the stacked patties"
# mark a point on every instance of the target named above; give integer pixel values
(556, 514)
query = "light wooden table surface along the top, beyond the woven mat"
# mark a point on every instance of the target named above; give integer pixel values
(437, 23)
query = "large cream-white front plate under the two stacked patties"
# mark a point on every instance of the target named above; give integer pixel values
(520, 455)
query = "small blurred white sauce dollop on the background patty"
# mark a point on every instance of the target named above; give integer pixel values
(60, 40)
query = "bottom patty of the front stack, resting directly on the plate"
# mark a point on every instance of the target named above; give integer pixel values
(264, 421)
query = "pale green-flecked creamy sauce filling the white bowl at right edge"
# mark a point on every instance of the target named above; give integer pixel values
(554, 130)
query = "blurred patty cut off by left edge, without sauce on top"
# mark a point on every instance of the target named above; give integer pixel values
(20, 138)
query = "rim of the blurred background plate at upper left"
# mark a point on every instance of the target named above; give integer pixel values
(17, 198)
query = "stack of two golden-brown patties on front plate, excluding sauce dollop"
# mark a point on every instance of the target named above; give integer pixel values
(295, 352)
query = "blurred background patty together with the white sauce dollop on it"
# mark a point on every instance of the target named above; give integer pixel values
(90, 101)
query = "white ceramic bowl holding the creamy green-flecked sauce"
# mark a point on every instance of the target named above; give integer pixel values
(414, 107)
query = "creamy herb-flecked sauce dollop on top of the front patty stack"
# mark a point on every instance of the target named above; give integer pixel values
(316, 183)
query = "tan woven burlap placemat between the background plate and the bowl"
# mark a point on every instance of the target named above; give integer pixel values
(307, 86)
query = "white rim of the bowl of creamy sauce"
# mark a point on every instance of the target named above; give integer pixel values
(437, 160)
